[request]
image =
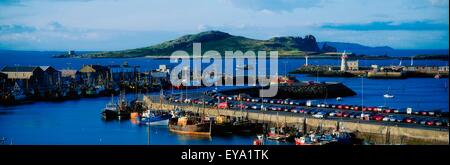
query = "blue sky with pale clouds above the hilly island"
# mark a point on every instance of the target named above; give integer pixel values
(123, 24)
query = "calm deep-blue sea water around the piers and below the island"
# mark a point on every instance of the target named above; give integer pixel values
(79, 121)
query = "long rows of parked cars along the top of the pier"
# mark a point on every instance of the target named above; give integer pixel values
(317, 111)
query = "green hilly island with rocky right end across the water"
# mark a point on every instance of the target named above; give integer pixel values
(219, 41)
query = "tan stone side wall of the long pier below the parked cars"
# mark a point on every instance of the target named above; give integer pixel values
(374, 133)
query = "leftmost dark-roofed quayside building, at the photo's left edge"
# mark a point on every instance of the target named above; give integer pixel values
(27, 77)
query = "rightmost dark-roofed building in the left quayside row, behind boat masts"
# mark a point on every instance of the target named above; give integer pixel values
(94, 74)
